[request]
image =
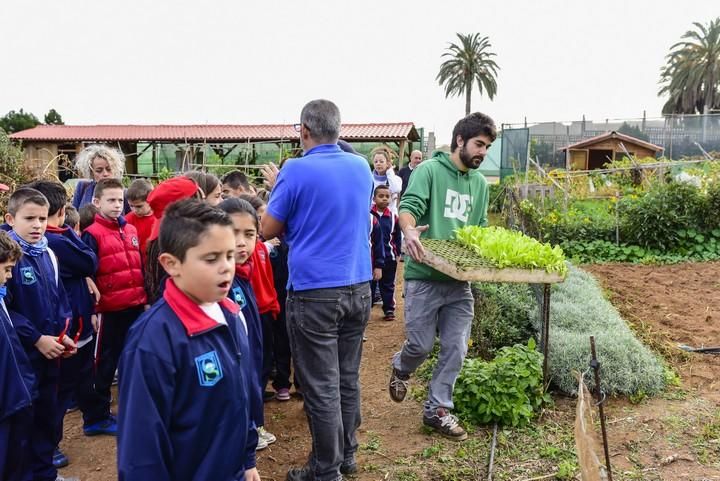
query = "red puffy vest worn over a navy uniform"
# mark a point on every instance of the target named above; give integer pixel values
(119, 276)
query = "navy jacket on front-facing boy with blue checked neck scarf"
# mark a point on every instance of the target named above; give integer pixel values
(36, 300)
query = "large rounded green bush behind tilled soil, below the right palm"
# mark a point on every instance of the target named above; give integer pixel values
(655, 219)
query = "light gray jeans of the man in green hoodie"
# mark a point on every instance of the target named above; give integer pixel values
(444, 307)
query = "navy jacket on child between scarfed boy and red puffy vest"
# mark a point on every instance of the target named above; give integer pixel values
(76, 261)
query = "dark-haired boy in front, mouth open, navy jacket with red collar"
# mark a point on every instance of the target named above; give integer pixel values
(186, 370)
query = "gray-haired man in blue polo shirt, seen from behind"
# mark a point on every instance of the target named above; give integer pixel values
(322, 202)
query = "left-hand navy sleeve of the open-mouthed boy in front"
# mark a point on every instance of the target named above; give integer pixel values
(146, 391)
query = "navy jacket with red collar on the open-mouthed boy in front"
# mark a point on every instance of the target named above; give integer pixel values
(184, 382)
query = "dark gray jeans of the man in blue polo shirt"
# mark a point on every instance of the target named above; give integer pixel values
(326, 328)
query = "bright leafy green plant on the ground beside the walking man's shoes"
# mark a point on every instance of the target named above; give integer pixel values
(507, 390)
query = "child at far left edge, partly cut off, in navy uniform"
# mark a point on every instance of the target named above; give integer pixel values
(16, 378)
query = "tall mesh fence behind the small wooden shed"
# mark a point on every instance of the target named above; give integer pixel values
(678, 135)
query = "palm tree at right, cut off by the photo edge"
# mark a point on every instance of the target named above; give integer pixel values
(691, 77)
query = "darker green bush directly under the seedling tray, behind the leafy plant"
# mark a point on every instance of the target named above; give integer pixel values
(502, 317)
